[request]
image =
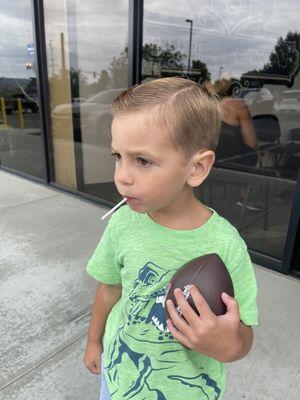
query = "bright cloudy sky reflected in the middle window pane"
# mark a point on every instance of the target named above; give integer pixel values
(97, 32)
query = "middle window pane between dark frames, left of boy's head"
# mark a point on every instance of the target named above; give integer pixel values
(87, 67)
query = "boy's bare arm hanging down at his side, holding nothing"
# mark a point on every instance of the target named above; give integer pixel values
(106, 297)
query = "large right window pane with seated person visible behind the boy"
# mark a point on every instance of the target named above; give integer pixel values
(249, 54)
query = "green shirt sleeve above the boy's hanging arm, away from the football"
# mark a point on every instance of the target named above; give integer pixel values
(103, 265)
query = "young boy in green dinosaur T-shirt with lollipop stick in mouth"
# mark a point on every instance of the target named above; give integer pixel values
(164, 133)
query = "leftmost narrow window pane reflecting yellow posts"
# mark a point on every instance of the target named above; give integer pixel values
(21, 144)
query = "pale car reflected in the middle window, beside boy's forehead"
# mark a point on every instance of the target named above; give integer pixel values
(91, 117)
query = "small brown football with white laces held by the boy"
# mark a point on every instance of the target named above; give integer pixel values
(211, 277)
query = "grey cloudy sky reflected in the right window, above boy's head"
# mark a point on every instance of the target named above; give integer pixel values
(235, 35)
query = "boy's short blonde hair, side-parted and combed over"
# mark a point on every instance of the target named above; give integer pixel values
(190, 112)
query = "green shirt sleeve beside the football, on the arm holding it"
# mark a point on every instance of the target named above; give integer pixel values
(245, 287)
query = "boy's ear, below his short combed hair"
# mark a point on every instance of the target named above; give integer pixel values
(201, 164)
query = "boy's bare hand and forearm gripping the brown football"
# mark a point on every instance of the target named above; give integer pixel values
(220, 337)
